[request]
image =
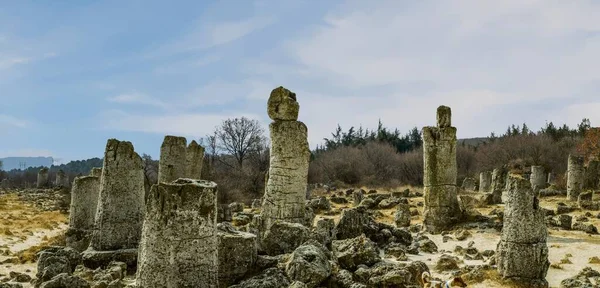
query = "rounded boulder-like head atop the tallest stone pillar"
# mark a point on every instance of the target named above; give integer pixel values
(282, 105)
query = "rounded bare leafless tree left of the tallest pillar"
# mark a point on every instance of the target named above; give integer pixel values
(239, 137)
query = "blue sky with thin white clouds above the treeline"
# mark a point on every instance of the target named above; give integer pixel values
(75, 74)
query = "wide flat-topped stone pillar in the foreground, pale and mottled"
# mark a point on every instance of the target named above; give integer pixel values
(179, 240)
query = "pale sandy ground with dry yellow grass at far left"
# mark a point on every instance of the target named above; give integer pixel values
(24, 230)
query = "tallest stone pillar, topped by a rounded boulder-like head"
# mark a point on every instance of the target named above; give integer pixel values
(288, 171)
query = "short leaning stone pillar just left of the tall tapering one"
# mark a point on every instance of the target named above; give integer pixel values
(82, 215)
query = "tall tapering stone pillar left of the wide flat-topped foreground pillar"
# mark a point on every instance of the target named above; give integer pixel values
(121, 202)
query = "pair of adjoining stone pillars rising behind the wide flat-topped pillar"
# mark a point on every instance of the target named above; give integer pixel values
(177, 160)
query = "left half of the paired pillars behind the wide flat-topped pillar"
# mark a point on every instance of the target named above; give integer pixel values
(172, 164)
